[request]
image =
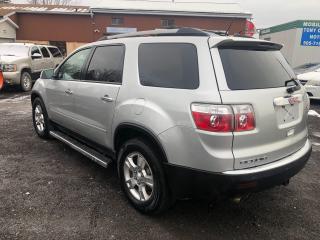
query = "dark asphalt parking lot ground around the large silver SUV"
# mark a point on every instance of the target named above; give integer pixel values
(49, 191)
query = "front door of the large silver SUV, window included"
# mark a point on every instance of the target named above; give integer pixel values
(60, 90)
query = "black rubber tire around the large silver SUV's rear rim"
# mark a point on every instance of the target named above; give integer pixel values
(160, 198)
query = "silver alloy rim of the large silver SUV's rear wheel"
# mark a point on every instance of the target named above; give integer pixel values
(138, 177)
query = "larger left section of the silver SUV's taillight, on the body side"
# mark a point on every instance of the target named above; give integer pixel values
(213, 118)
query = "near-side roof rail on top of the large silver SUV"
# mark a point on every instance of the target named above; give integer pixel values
(162, 32)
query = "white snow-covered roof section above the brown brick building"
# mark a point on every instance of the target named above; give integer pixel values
(214, 9)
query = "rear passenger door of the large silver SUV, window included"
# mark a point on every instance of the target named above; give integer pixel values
(95, 97)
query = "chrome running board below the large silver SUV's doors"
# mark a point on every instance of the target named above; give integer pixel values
(81, 148)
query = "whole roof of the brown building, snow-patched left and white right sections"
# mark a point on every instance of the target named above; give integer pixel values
(205, 9)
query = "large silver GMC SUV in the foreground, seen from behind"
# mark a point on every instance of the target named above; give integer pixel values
(181, 113)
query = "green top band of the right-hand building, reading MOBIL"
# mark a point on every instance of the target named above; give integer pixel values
(290, 25)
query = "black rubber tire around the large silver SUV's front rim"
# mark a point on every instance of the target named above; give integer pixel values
(45, 132)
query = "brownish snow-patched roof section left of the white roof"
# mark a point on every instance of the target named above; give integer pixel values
(7, 9)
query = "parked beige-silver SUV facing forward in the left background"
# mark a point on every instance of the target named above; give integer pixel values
(22, 63)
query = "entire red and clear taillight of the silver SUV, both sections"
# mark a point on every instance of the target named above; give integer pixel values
(223, 118)
